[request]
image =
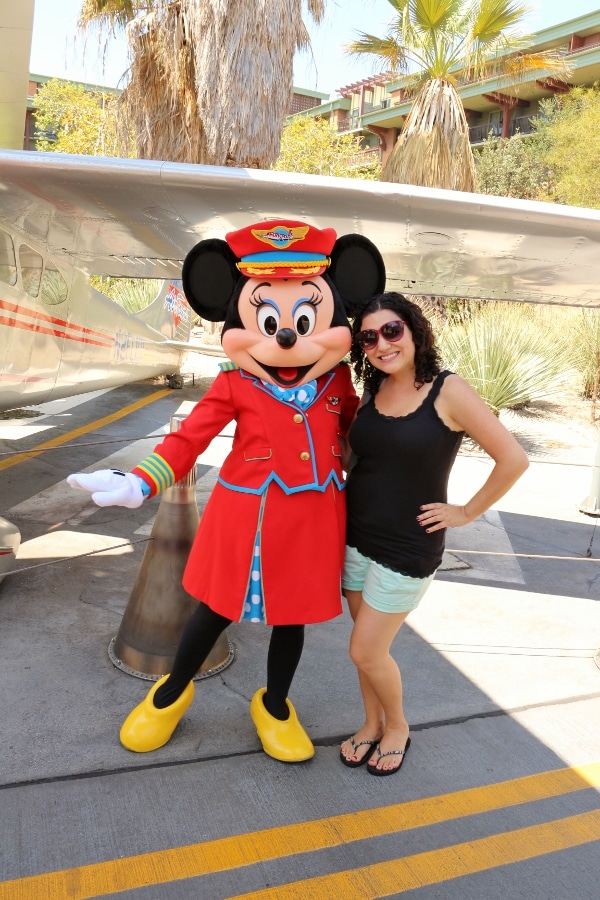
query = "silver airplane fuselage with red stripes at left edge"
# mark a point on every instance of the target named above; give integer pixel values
(58, 335)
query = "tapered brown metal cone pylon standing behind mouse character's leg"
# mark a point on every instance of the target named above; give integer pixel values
(158, 606)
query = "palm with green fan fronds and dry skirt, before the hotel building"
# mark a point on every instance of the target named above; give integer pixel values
(440, 43)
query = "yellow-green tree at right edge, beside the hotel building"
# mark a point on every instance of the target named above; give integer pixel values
(568, 137)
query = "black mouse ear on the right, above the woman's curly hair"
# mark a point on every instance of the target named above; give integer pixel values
(357, 270)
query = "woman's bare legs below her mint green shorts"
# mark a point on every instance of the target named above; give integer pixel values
(380, 680)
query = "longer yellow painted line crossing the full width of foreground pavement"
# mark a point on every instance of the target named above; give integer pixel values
(165, 866)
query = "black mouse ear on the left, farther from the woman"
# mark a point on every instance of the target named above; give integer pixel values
(209, 276)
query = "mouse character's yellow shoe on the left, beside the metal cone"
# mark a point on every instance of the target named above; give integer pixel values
(148, 728)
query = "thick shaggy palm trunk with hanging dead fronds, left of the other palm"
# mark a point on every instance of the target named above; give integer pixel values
(209, 82)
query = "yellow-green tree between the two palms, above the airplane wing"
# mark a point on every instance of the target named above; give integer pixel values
(311, 145)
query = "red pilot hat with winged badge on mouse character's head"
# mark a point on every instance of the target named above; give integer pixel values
(282, 248)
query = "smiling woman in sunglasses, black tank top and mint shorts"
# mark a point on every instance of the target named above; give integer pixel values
(404, 439)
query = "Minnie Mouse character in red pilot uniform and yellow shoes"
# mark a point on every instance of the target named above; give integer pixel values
(270, 544)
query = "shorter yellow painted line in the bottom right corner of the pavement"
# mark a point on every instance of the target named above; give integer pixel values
(435, 866)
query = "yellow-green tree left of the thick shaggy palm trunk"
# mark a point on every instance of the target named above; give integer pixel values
(70, 119)
